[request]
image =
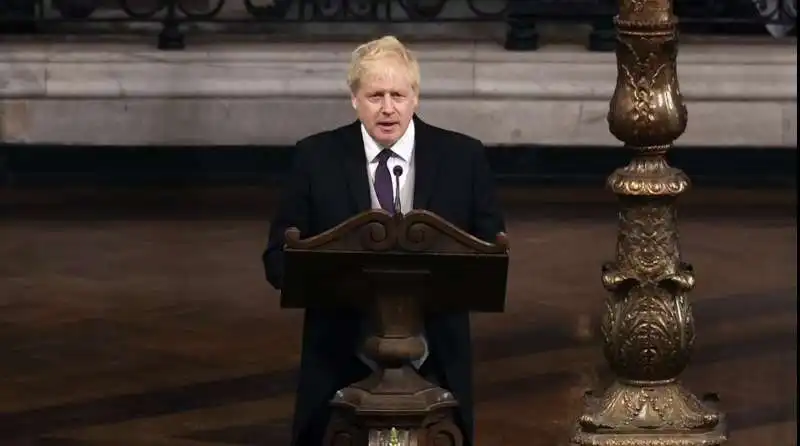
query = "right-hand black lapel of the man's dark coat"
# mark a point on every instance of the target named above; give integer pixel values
(426, 164)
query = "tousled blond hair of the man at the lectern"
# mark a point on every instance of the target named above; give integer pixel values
(368, 55)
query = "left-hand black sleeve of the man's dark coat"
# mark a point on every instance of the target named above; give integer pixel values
(293, 211)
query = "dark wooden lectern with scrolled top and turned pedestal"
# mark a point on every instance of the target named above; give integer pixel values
(394, 269)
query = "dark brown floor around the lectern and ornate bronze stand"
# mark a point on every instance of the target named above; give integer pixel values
(151, 326)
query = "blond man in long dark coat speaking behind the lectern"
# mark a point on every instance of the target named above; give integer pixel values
(343, 172)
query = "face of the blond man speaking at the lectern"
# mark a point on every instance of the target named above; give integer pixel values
(385, 102)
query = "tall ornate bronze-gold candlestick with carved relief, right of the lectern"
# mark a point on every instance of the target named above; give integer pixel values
(648, 328)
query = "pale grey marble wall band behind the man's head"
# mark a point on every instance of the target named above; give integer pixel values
(273, 94)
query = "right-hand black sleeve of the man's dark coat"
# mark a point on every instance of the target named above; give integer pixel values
(487, 218)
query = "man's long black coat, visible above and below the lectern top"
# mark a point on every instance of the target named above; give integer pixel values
(329, 184)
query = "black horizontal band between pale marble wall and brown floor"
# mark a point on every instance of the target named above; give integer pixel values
(31, 165)
